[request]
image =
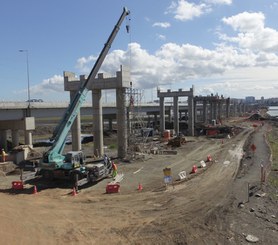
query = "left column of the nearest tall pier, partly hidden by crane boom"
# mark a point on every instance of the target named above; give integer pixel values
(76, 129)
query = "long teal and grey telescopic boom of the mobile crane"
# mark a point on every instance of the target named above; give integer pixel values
(53, 158)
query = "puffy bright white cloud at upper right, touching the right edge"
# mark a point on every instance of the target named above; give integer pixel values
(252, 33)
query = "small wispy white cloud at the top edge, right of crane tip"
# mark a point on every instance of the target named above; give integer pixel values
(185, 11)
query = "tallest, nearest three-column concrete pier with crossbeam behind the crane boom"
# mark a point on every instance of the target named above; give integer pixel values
(96, 85)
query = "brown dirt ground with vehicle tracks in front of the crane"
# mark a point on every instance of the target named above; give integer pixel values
(217, 205)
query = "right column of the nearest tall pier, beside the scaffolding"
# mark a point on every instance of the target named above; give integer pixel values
(121, 122)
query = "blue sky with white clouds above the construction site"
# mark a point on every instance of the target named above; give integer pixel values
(225, 47)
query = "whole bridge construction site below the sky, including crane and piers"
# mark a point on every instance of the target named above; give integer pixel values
(199, 172)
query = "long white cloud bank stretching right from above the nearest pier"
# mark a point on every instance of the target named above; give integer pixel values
(173, 63)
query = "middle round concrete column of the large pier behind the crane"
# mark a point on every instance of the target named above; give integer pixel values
(97, 123)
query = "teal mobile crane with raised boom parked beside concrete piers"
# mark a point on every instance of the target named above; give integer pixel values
(71, 165)
